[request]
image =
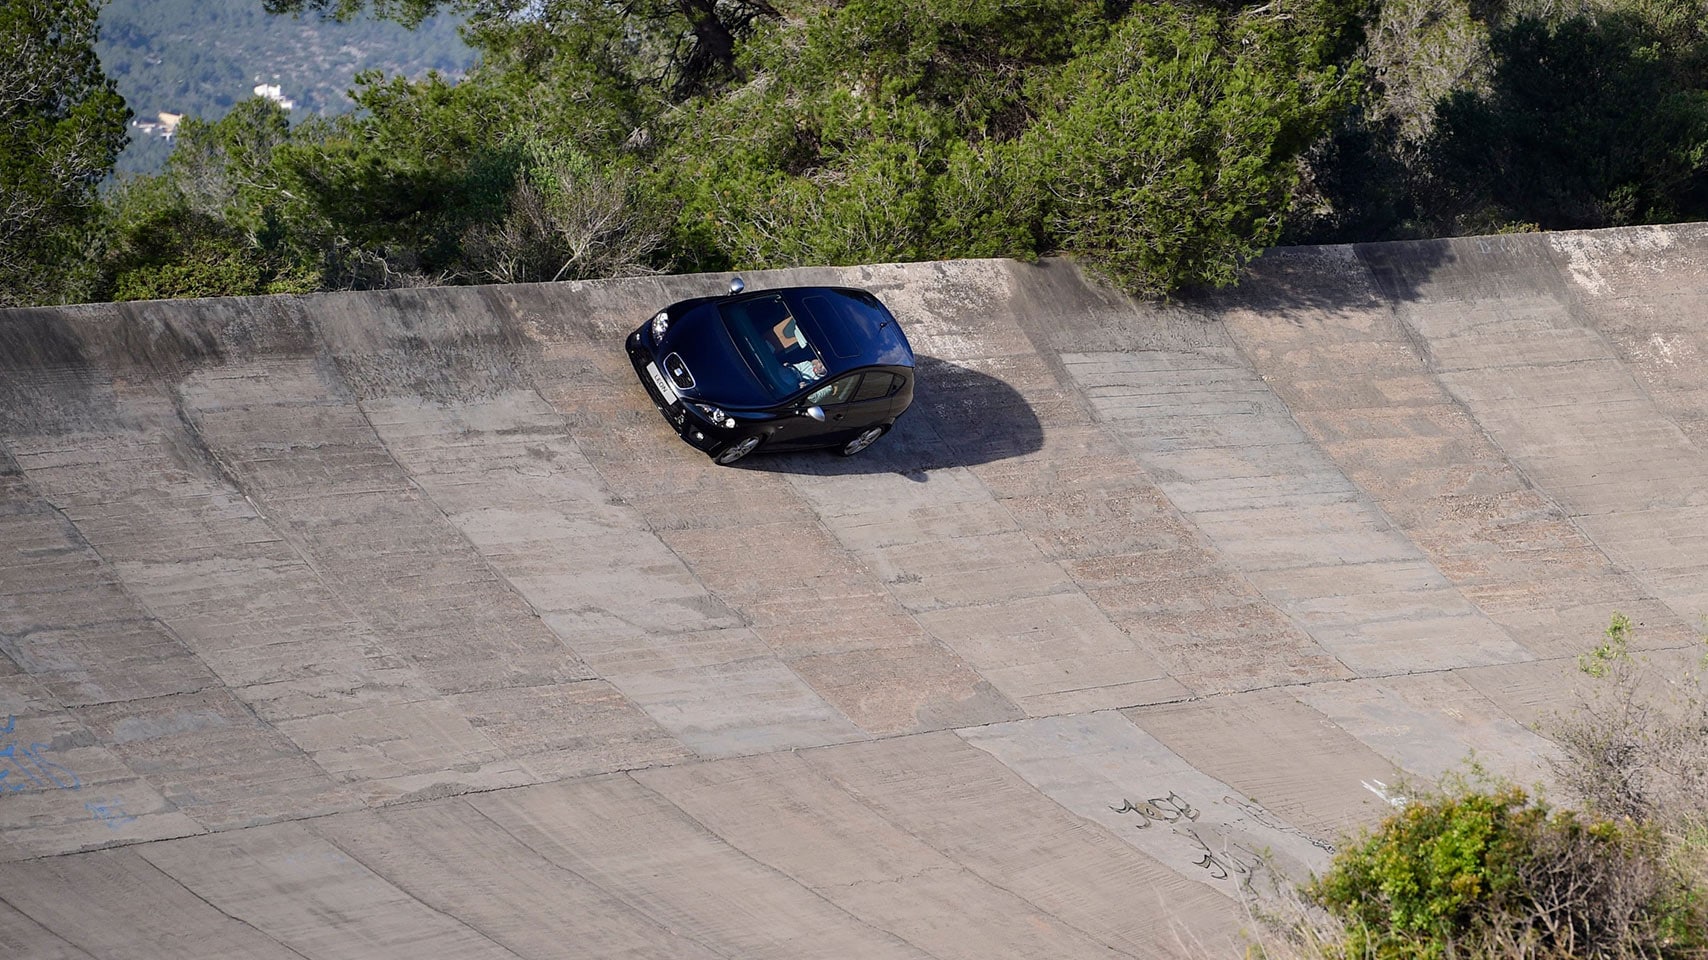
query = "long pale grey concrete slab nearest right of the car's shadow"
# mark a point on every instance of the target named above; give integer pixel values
(1232, 459)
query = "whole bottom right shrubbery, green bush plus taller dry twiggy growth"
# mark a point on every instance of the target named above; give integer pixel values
(1487, 872)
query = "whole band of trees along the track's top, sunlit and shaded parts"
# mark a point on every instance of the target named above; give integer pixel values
(1161, 143)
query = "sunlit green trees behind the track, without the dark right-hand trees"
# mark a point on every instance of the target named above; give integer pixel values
(1157, 143)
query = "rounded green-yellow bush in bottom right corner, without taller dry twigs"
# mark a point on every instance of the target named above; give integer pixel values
(1475, 872)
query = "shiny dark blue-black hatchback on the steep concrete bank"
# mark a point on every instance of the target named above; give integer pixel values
(778, 370)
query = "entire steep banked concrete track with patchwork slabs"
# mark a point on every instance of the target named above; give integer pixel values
(399, 624)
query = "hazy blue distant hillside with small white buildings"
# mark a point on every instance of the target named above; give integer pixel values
(199, 59)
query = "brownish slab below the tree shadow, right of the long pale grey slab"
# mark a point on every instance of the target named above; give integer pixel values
(1424, 459)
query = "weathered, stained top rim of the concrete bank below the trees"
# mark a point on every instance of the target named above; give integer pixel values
(168, 339)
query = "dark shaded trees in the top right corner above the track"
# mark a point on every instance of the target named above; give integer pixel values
(1492, 117)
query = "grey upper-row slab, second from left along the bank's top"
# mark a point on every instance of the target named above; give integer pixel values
(313, 462)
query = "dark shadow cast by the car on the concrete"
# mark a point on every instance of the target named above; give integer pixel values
(961, 418)
